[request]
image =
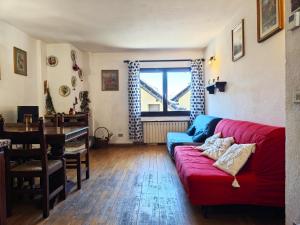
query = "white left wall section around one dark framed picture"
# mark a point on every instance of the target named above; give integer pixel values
(17, 89)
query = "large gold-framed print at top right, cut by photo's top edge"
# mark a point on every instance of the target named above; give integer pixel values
(269, 18)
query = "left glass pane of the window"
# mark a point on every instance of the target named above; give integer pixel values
(151, 91)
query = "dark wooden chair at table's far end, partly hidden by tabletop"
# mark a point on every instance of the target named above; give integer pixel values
(76, 153)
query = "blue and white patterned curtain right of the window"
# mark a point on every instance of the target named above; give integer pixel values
(197, 89)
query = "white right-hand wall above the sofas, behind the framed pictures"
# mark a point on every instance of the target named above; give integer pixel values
(256, 83)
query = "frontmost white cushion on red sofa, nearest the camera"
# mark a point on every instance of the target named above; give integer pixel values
(235, 158)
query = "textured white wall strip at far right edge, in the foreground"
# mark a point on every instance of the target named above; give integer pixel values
(292, 125)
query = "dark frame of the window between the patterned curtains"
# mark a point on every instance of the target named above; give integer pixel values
(164, 72)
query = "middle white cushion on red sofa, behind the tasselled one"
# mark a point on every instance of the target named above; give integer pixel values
(218, 148)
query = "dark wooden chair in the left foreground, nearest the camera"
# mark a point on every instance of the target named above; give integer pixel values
(36, 165)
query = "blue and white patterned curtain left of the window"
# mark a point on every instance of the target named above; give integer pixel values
(134, 102)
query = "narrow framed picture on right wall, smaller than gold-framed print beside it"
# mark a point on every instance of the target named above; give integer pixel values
(238, 41)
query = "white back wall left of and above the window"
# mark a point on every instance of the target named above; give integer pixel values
(110, 108)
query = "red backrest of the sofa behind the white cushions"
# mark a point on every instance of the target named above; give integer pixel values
(269, 156)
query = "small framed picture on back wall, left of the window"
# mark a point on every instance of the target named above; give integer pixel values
(110, 80)
